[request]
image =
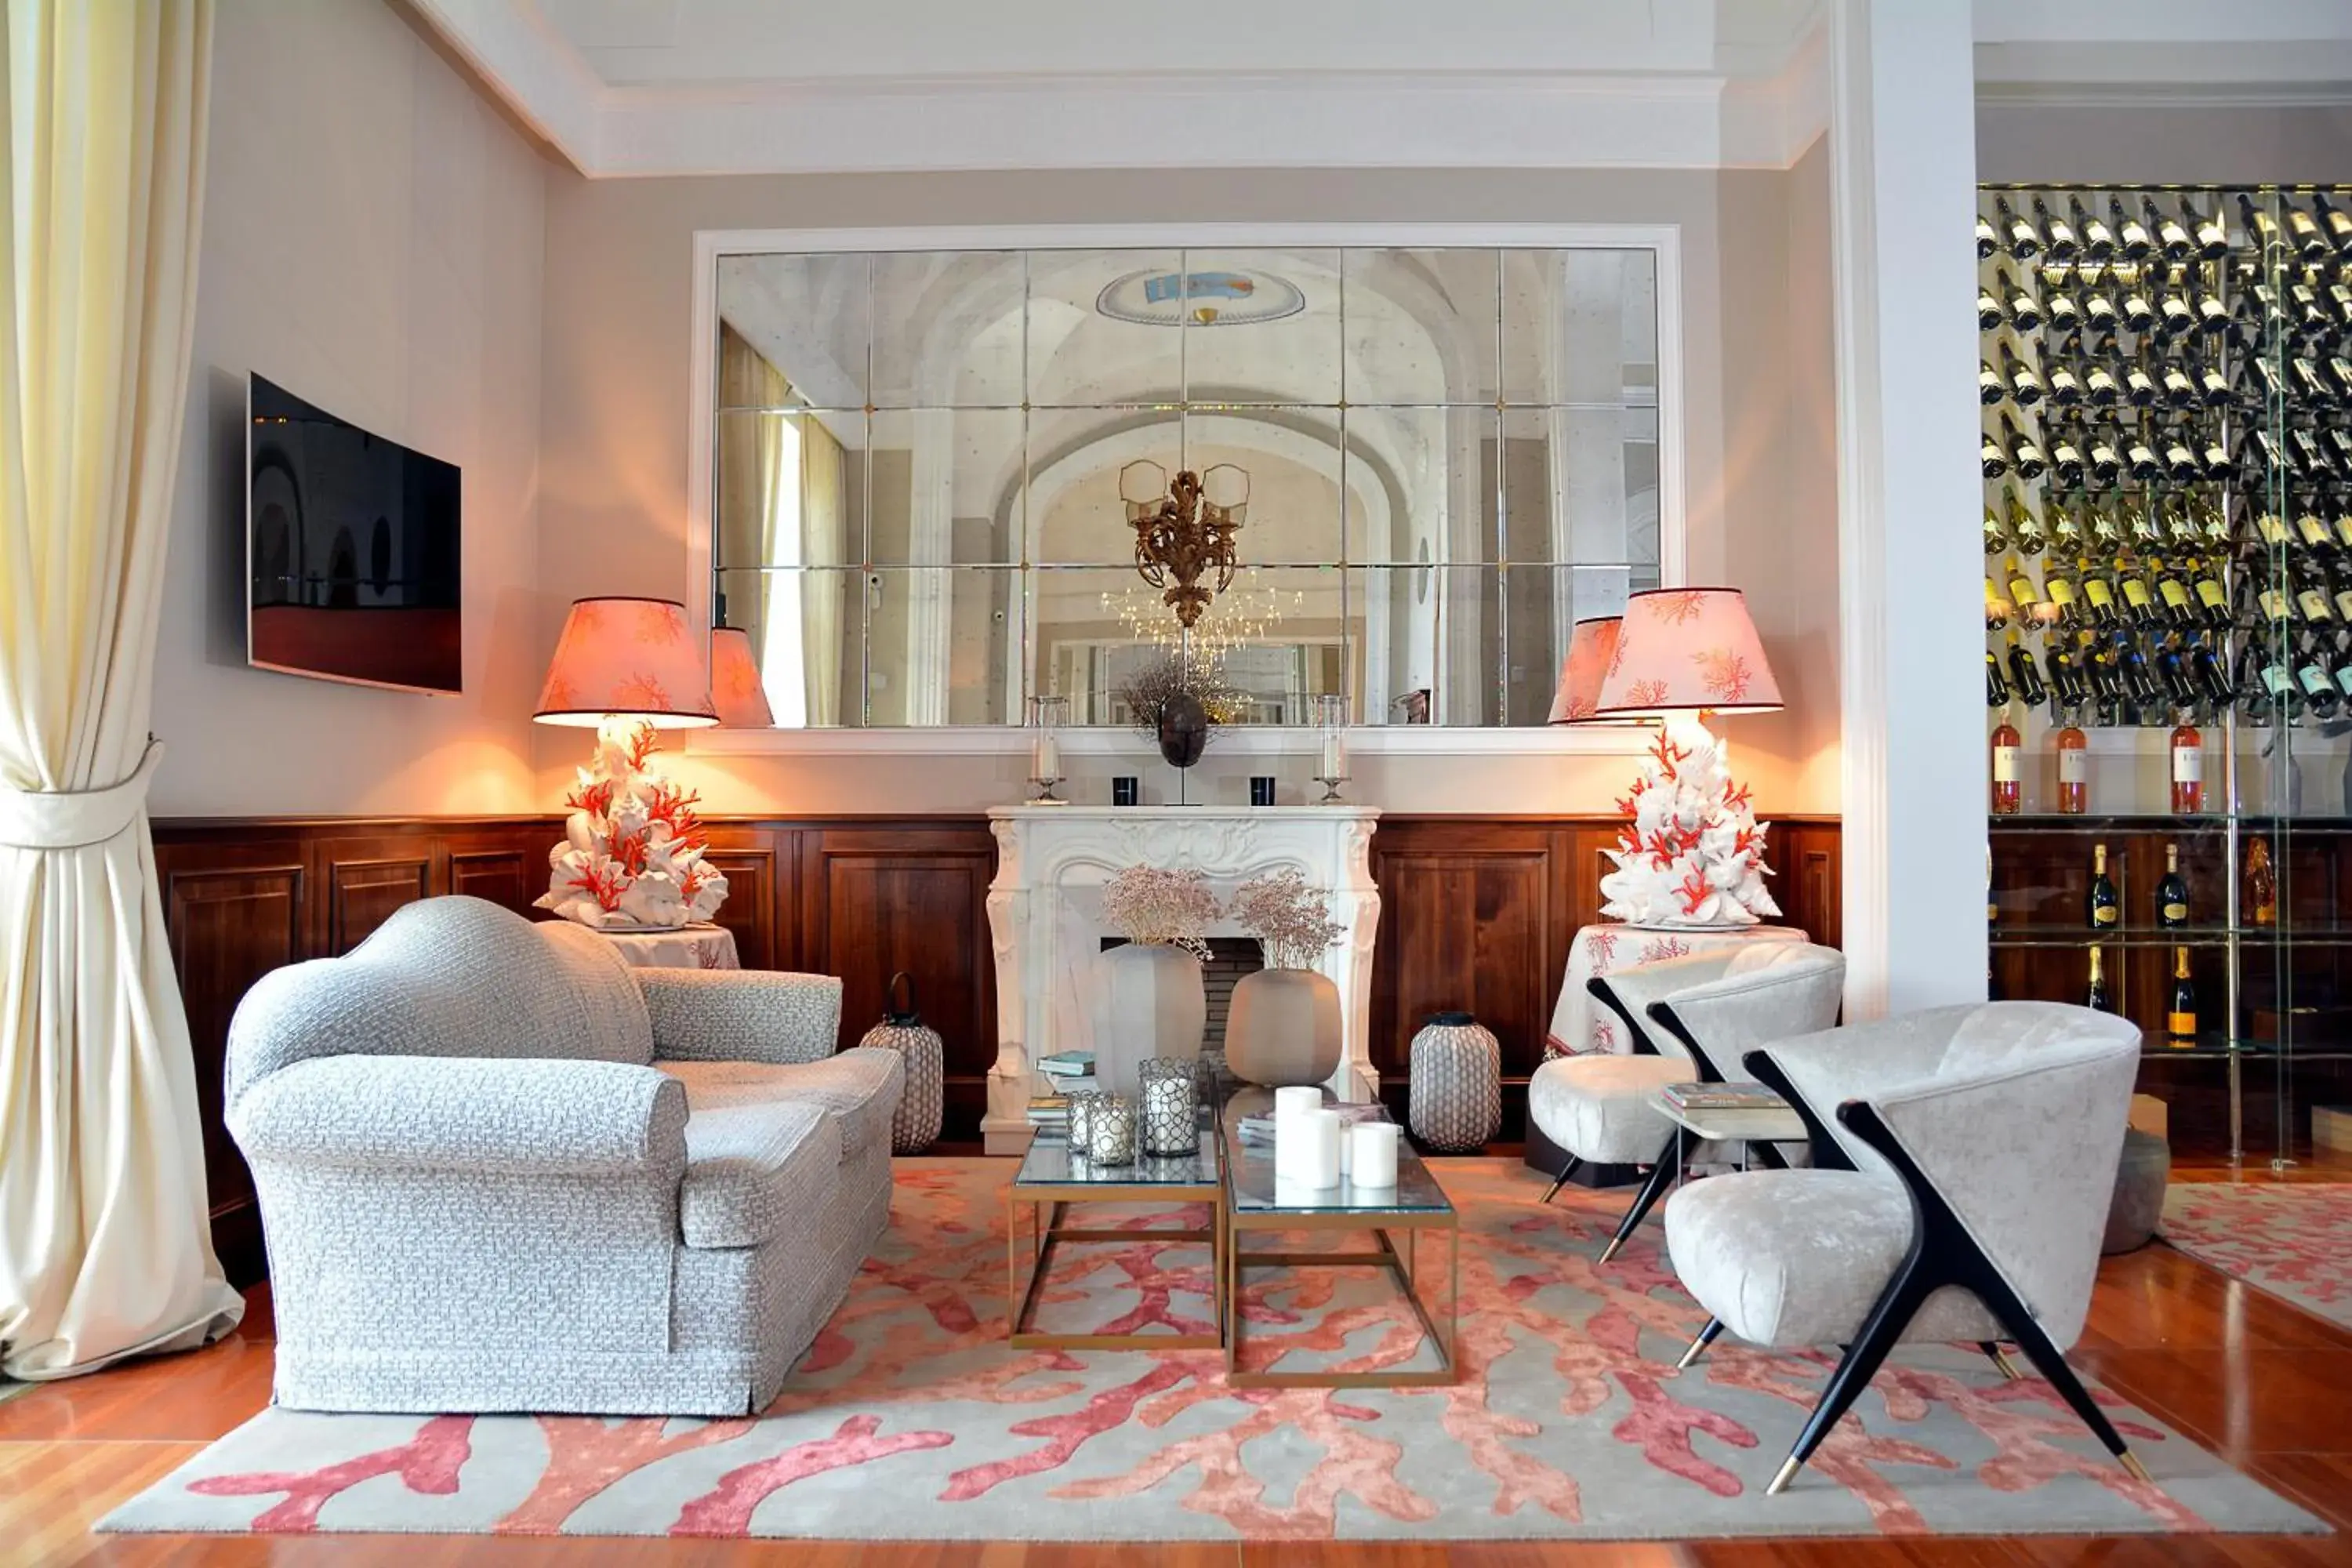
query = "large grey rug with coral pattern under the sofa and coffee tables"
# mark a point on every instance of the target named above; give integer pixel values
(916, 1421)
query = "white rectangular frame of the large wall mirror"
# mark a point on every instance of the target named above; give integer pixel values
(1664, 241)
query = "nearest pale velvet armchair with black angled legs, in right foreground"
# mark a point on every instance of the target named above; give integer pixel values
(1963, 1170)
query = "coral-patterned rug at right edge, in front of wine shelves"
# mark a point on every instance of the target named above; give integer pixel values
(2287, 1240)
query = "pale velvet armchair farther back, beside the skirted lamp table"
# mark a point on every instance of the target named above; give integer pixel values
(1690, 1019)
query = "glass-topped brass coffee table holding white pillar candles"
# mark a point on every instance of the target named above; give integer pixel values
(1259, 1202)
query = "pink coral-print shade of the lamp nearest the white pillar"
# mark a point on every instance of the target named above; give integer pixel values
(1688, 650)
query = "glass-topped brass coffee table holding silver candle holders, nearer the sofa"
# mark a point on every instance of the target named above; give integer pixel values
(1050, 1184)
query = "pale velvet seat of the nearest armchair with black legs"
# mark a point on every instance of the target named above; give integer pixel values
(1800, 1257)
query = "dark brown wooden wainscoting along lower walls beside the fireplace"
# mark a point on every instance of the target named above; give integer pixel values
(1478, 916)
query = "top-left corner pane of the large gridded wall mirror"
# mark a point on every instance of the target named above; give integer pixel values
(808, 319)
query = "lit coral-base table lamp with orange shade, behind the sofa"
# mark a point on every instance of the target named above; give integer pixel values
(634, 847)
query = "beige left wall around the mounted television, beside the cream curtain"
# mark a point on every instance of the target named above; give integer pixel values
(373, 243)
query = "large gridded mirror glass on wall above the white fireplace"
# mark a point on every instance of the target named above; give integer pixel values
(918, 457)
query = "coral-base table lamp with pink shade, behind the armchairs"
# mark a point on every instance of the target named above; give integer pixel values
(1692, 857)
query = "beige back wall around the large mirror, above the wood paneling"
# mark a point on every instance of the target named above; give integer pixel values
(1758, 462)
